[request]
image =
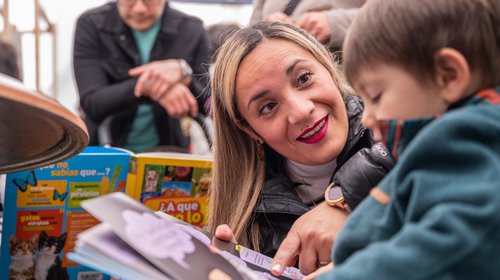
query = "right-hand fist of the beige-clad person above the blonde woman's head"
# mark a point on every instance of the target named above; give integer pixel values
(316, 23)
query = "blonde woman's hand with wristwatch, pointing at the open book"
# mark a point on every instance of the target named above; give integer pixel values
(310, 238)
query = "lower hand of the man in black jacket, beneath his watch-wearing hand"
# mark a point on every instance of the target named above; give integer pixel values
(178, 101)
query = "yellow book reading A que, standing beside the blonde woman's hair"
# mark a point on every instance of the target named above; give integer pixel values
(174, 183)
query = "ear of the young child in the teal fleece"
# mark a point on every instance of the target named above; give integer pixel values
(452, 74)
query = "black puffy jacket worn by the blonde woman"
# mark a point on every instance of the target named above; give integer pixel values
(359, 168)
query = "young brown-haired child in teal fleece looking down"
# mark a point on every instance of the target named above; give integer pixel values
(429, 75)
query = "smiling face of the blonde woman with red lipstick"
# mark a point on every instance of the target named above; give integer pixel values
(291, 102)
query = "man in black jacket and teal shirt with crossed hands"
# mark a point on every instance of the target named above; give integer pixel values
(140, 66)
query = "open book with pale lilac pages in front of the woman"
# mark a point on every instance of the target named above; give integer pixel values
(133, 242)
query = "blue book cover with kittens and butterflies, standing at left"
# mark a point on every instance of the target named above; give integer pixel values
(43, 214)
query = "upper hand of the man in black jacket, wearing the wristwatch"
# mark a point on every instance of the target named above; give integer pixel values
(157, 77)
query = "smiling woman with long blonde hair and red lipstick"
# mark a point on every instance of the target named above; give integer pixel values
(287, 130)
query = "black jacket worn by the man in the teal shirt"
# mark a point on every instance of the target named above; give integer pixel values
(105, 50)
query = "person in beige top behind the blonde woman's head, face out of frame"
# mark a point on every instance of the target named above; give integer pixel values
(326, 20)
